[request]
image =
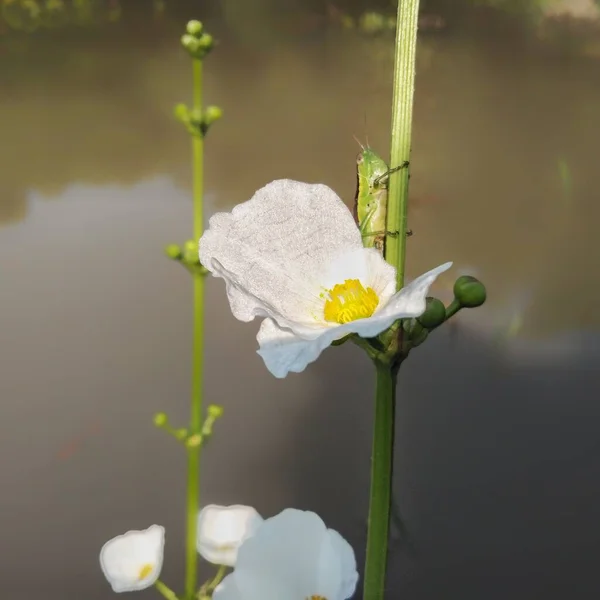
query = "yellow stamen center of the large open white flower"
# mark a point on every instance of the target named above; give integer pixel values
(349, 301)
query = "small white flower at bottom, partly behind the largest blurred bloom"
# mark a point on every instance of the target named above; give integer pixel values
(221, 530)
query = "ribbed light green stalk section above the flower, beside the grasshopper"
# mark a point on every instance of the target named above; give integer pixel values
(402, 109)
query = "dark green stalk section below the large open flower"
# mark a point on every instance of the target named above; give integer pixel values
(382, 462)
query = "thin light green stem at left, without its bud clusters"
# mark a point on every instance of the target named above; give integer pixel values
(193, 474)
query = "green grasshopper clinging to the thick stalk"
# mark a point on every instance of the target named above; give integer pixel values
(370, 202)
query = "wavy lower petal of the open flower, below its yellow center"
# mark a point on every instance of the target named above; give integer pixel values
(283, 351)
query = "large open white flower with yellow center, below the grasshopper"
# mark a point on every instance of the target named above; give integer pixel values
(294, 255)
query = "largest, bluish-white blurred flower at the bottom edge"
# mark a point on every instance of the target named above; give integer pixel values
(292, 556)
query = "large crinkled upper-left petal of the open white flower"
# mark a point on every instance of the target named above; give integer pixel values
(275, 244)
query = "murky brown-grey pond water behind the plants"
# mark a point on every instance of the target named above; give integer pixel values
(497, 457)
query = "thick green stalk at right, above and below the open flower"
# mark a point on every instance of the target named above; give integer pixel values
(387, 370)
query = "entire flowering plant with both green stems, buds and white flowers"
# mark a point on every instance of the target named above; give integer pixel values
(294, 256)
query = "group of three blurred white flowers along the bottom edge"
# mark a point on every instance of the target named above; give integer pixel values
(292, 555)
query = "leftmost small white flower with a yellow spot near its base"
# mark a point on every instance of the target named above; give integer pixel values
(133, 561)
